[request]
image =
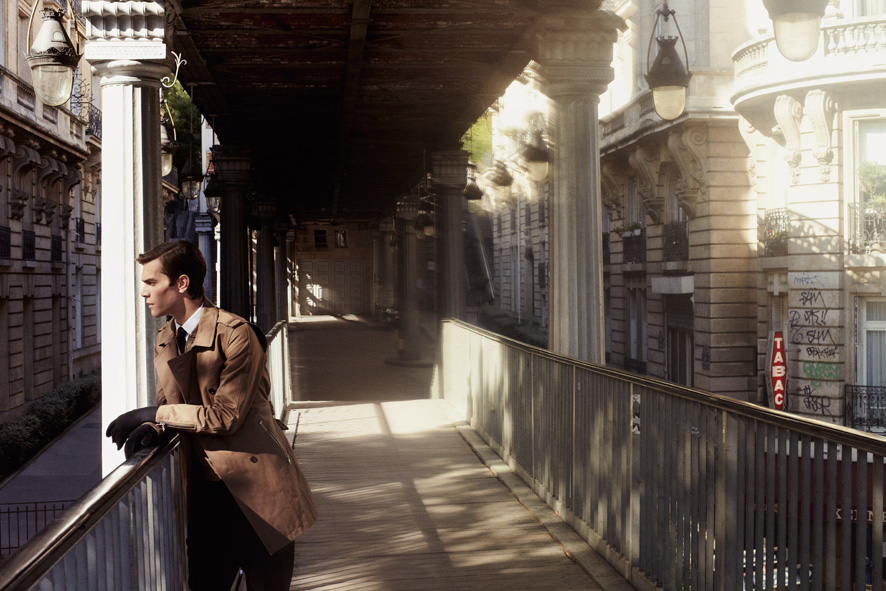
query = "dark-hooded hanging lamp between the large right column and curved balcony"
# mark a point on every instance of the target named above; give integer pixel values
(667, 77)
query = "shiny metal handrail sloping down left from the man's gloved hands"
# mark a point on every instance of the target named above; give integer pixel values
(31, 561)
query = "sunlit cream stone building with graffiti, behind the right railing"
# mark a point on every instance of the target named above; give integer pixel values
(758, 213)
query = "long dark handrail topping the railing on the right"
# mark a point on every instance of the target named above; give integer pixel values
(807, 426)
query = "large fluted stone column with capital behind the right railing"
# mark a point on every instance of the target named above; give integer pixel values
(575, 50)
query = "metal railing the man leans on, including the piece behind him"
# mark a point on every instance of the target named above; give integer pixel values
(129, 531)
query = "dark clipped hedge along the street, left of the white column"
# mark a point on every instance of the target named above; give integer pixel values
(23, 438)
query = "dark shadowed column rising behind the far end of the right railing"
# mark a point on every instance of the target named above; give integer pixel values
(450, 177)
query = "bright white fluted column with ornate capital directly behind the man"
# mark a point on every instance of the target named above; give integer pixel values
(130, 69)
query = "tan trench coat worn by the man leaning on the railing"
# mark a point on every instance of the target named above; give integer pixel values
(217, 390)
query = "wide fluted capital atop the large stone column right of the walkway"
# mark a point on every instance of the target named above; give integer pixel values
(575, 51)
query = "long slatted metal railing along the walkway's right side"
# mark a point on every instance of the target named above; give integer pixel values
(677, 488)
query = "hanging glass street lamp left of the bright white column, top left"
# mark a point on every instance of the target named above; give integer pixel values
(52, 58)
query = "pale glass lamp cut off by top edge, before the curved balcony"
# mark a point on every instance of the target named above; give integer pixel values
(796, 24)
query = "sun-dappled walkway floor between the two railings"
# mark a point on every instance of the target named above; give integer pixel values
(406, 504)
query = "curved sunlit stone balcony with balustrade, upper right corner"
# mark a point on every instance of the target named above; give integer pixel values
(851, 52)
